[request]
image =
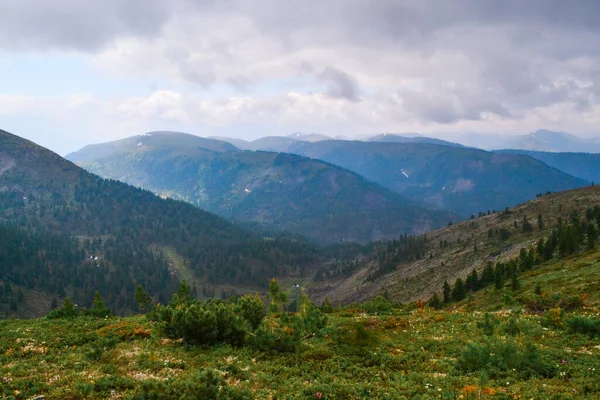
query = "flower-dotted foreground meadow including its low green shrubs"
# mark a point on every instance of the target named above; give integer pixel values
(403, 352)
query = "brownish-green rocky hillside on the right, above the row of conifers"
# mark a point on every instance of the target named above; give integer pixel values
(413, 269)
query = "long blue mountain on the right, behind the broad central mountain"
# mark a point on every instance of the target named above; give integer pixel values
(462, 180)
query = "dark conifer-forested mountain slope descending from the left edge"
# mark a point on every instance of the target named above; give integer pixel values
(58, 216)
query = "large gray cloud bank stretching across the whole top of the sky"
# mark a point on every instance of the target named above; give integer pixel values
(436, 61)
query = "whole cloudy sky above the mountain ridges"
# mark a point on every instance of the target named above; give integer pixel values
(77, 72)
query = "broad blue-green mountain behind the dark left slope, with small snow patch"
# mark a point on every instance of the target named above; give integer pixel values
(288, 192)
